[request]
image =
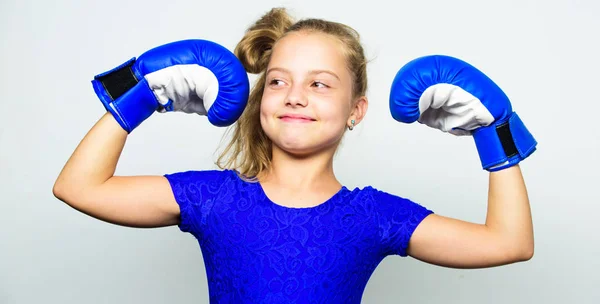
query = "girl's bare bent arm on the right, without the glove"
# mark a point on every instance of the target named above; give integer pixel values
(505, 238)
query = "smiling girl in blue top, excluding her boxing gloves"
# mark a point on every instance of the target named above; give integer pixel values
(274, 223)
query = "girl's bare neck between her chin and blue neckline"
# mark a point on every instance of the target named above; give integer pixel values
(299, 173)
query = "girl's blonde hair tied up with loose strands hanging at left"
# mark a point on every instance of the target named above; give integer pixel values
(249, 149)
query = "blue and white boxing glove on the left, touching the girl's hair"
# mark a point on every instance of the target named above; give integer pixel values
(190, 76)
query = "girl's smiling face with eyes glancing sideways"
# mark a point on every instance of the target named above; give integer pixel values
(307, 98)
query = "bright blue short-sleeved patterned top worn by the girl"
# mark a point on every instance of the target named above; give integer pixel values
(256, 251)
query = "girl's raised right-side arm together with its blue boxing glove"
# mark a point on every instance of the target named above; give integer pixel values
(451, 95)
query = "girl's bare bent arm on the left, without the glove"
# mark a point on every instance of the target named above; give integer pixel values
(87, 183)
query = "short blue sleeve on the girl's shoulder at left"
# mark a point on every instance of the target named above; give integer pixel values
(193, 192)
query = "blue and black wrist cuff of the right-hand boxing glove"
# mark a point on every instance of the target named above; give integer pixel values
(504, 144)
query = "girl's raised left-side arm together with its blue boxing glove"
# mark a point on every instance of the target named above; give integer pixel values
(190, 76)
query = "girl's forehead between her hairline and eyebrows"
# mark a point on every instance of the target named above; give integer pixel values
(302, 51)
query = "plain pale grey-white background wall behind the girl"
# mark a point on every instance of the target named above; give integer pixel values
(544, 54)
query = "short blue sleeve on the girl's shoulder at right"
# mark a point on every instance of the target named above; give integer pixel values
(398, 219)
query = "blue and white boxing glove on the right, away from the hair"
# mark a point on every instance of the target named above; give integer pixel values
(451, 95)
